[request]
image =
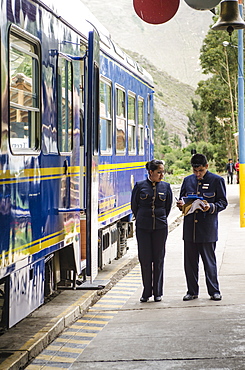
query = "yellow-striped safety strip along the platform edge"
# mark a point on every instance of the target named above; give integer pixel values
(71, 343)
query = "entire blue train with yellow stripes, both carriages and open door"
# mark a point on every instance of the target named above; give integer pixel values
(54, 161)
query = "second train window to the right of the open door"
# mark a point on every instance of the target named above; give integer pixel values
(120, 118)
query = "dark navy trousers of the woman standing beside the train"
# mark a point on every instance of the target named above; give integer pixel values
(151, 252)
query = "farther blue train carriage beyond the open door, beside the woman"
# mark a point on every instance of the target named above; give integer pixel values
(126, 144)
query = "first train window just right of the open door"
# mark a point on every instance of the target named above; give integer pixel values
(106, 115)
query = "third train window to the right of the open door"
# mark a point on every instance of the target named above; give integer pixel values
(131, 124)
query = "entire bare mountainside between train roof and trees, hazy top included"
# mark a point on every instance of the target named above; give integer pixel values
(172, 49)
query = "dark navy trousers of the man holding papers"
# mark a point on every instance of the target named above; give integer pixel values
(192, 251)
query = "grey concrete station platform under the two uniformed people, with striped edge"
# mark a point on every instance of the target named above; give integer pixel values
(119, 332)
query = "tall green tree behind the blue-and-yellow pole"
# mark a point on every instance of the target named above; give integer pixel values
(218, 107)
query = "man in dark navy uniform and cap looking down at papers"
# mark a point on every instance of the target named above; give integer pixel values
(200, 230)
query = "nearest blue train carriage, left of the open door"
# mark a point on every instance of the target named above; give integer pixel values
(42, 98)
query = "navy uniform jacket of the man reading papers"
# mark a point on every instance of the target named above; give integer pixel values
(202, 227)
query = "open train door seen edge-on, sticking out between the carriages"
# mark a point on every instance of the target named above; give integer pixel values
(92, 176)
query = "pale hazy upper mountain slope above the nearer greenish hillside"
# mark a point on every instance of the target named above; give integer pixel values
(172, 47)
